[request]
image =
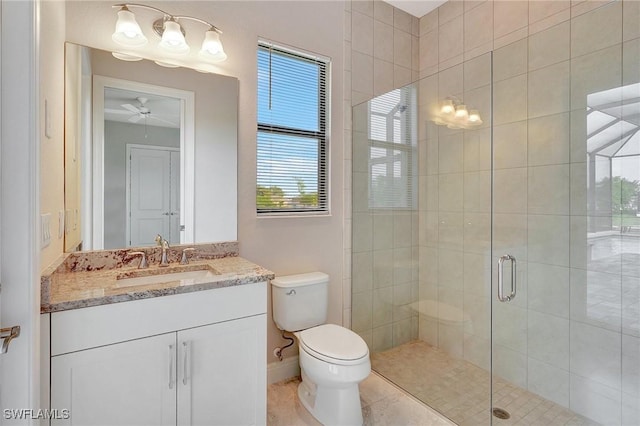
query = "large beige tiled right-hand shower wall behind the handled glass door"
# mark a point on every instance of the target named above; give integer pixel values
(571, 334)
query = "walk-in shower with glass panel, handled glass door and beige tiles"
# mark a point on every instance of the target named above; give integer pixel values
(496, 229)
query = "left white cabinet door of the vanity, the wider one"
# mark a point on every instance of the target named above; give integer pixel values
(130, 383)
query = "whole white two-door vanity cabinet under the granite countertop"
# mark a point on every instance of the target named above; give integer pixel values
(188, 359)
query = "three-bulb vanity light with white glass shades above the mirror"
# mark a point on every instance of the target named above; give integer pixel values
(172, 35)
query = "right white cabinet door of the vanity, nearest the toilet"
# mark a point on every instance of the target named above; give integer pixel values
(222, 373)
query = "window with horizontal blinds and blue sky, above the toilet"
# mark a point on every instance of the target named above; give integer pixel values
(292, 146)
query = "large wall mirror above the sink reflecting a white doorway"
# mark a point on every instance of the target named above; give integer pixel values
(148, 150)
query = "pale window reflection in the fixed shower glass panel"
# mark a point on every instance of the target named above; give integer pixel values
(392, 135)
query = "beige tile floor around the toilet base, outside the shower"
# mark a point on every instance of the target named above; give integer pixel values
(382, 404)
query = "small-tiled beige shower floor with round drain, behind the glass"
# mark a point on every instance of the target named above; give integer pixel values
(460, 390)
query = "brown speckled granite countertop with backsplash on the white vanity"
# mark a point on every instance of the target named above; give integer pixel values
(99, 278)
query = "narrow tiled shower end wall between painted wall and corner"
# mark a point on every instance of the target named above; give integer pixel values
(381, 53)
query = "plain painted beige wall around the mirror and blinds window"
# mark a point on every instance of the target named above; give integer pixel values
(284, 245)
